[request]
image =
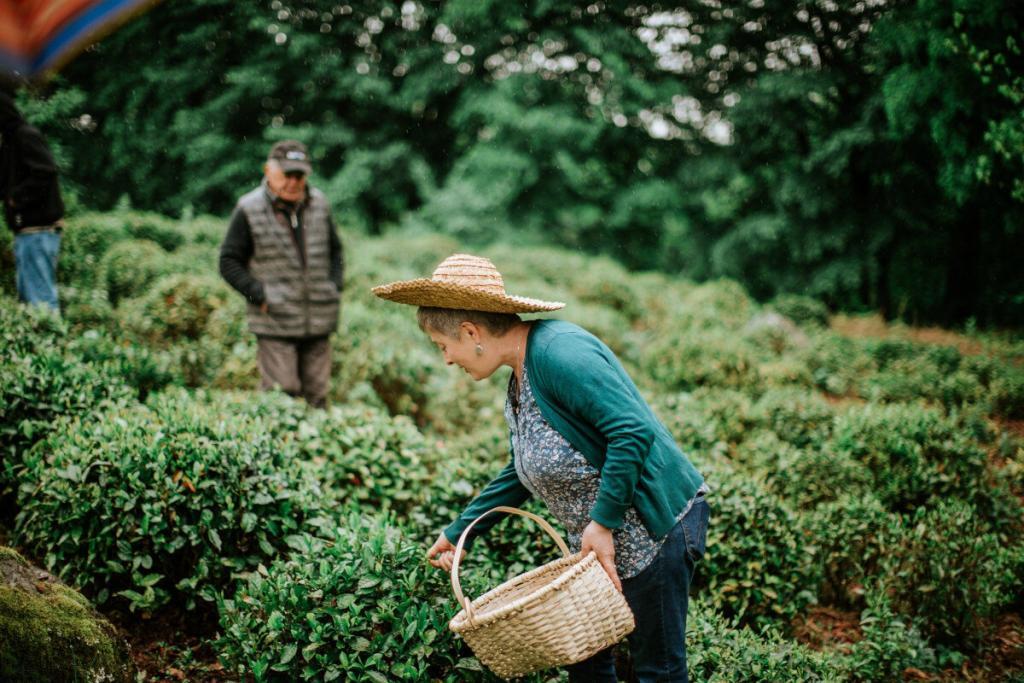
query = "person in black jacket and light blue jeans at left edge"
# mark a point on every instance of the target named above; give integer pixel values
(32, 204)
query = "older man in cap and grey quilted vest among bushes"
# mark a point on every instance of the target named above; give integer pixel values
(283, 254)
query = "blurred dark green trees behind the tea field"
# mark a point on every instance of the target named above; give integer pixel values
(869, 154)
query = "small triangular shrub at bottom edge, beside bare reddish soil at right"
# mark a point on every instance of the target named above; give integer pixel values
(891, 645)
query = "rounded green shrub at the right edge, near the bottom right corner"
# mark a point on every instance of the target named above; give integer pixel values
(945, 568)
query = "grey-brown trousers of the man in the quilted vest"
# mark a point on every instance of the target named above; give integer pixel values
(297, 367)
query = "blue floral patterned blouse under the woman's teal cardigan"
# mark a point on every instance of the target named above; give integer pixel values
(560, 476)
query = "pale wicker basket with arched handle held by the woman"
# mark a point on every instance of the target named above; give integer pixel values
(558, 615)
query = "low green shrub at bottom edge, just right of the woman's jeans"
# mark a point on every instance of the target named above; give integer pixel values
(718, 651)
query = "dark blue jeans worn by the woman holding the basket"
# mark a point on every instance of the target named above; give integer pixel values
(659, 597)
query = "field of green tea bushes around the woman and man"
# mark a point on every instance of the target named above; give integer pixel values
(868, 476)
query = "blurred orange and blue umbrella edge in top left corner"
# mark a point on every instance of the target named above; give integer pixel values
(39, 36)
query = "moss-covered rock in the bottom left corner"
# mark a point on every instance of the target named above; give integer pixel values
(51, 634)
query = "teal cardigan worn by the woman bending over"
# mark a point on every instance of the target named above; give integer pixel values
(584, 394)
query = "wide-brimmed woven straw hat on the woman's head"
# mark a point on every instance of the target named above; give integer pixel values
(471, 283)
